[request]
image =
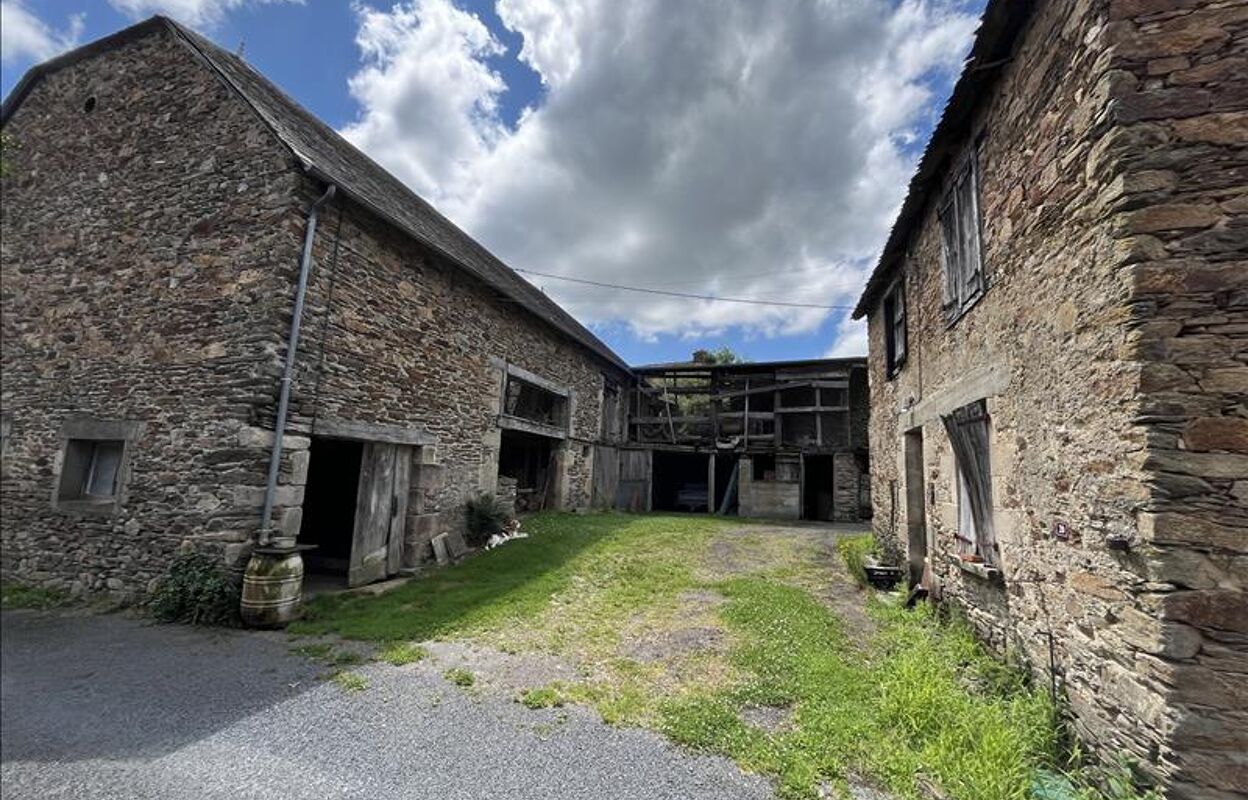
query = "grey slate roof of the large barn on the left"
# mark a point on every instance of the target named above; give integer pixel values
(330, 158)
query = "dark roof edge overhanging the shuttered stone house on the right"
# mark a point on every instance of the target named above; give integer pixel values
(994, 44)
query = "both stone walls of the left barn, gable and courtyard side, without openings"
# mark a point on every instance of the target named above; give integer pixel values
(150, 250)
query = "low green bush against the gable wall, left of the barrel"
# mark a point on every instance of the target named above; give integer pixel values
(197, 591)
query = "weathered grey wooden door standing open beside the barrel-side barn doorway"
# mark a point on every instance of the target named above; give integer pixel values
(381, 512)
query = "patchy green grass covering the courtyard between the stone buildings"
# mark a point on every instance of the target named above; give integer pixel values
(734, 638)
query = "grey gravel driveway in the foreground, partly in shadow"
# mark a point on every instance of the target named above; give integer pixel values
(112, 707)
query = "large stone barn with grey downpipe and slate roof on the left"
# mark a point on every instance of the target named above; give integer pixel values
(163, 204)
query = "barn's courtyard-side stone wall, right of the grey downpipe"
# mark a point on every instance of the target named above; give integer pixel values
(397, 338)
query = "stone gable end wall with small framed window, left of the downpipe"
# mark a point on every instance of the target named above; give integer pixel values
(148, 246)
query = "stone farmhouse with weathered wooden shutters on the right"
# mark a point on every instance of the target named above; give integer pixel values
(1059, 370)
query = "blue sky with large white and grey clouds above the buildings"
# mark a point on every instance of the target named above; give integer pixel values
(733, 149)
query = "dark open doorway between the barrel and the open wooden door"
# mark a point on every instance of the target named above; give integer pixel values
(330, 505)
